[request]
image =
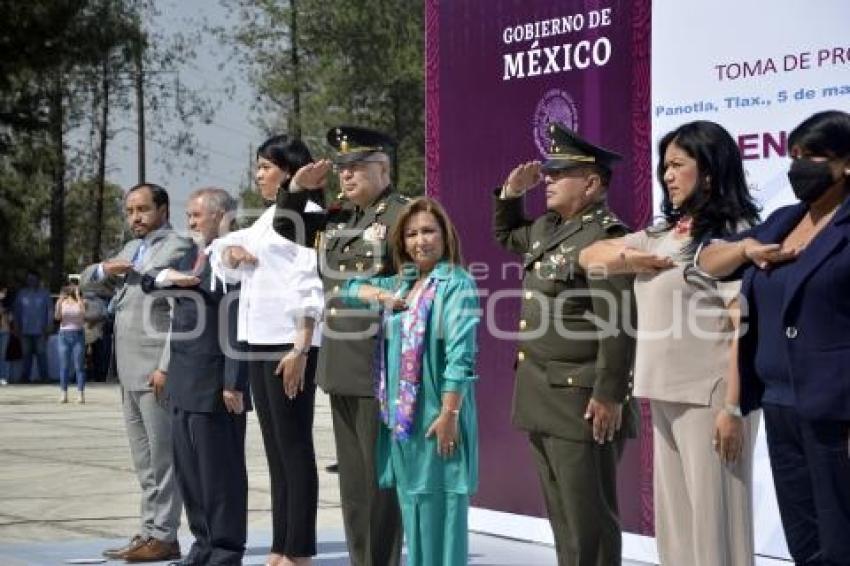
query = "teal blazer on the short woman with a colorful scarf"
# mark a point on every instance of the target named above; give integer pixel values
(448, 364)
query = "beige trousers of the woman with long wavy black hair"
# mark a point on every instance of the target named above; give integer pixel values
(703, 508)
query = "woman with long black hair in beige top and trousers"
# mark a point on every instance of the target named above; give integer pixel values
(685, 342)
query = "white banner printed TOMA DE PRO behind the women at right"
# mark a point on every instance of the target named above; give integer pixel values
(757, 68)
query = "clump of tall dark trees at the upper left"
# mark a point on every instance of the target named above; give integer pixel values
(68, 64)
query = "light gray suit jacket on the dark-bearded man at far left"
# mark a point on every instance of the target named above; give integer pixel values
(142, 321)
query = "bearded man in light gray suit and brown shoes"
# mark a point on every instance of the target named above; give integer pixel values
(141, 359)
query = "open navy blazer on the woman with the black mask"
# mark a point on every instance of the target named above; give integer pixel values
(815, 314)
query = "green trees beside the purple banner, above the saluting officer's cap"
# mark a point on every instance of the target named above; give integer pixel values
(356, 62)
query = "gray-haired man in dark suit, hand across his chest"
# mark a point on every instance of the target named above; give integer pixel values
(207, 393)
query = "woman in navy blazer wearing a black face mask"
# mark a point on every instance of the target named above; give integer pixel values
(794, 358)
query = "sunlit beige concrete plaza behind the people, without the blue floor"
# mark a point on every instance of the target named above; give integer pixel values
(66, 472)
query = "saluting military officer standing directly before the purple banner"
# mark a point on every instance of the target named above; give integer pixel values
(573, 366)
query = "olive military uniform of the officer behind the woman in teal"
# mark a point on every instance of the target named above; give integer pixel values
(355, 243)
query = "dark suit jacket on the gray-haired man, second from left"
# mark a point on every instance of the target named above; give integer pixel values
(199, 370)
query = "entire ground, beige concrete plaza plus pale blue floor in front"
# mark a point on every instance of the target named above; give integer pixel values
(68, 490)
